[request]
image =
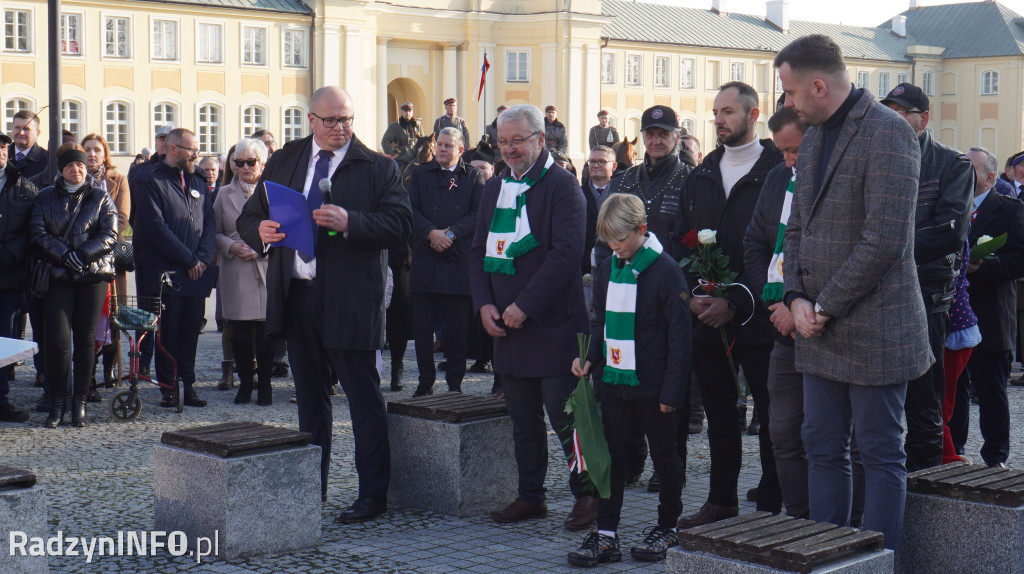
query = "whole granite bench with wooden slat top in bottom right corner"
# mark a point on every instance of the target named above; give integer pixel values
(964, 518)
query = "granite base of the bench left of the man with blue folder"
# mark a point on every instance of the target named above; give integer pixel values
(262, 504)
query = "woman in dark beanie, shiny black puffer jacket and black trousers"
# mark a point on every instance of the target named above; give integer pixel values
(73, 230)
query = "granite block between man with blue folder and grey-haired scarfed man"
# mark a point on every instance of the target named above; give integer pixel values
(458, 469)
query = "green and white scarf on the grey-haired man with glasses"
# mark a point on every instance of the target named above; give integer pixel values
(510, 235)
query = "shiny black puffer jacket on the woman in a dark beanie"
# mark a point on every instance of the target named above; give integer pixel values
(93, 236)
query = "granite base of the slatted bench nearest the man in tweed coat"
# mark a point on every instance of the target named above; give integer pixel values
(686, 562)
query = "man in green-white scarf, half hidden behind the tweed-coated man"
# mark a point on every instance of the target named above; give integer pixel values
(764, 253)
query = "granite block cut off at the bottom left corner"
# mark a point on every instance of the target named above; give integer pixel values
(22, 511)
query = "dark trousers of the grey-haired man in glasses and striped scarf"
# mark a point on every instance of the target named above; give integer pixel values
(527, 400)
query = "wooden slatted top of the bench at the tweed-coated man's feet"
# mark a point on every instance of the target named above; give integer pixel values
(779, 542)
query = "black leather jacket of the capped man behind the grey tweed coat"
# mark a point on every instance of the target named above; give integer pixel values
(946, 202)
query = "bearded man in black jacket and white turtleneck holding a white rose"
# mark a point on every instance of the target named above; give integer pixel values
(720, 195)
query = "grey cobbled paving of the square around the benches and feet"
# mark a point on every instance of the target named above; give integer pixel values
(99, 481)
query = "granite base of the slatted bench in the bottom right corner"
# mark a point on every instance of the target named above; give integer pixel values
(944, 536)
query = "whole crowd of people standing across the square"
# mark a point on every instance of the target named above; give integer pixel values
(827, 271)
